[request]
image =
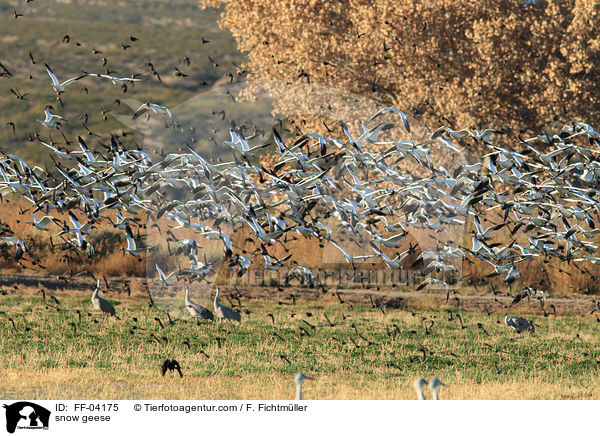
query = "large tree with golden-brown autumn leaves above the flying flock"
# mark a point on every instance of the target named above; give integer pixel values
(501, 63)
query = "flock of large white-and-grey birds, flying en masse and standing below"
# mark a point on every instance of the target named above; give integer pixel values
(317, 187)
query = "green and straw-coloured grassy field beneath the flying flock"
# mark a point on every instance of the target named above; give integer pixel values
(366, 354)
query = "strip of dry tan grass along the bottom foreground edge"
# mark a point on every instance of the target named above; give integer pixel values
(88, 383)
